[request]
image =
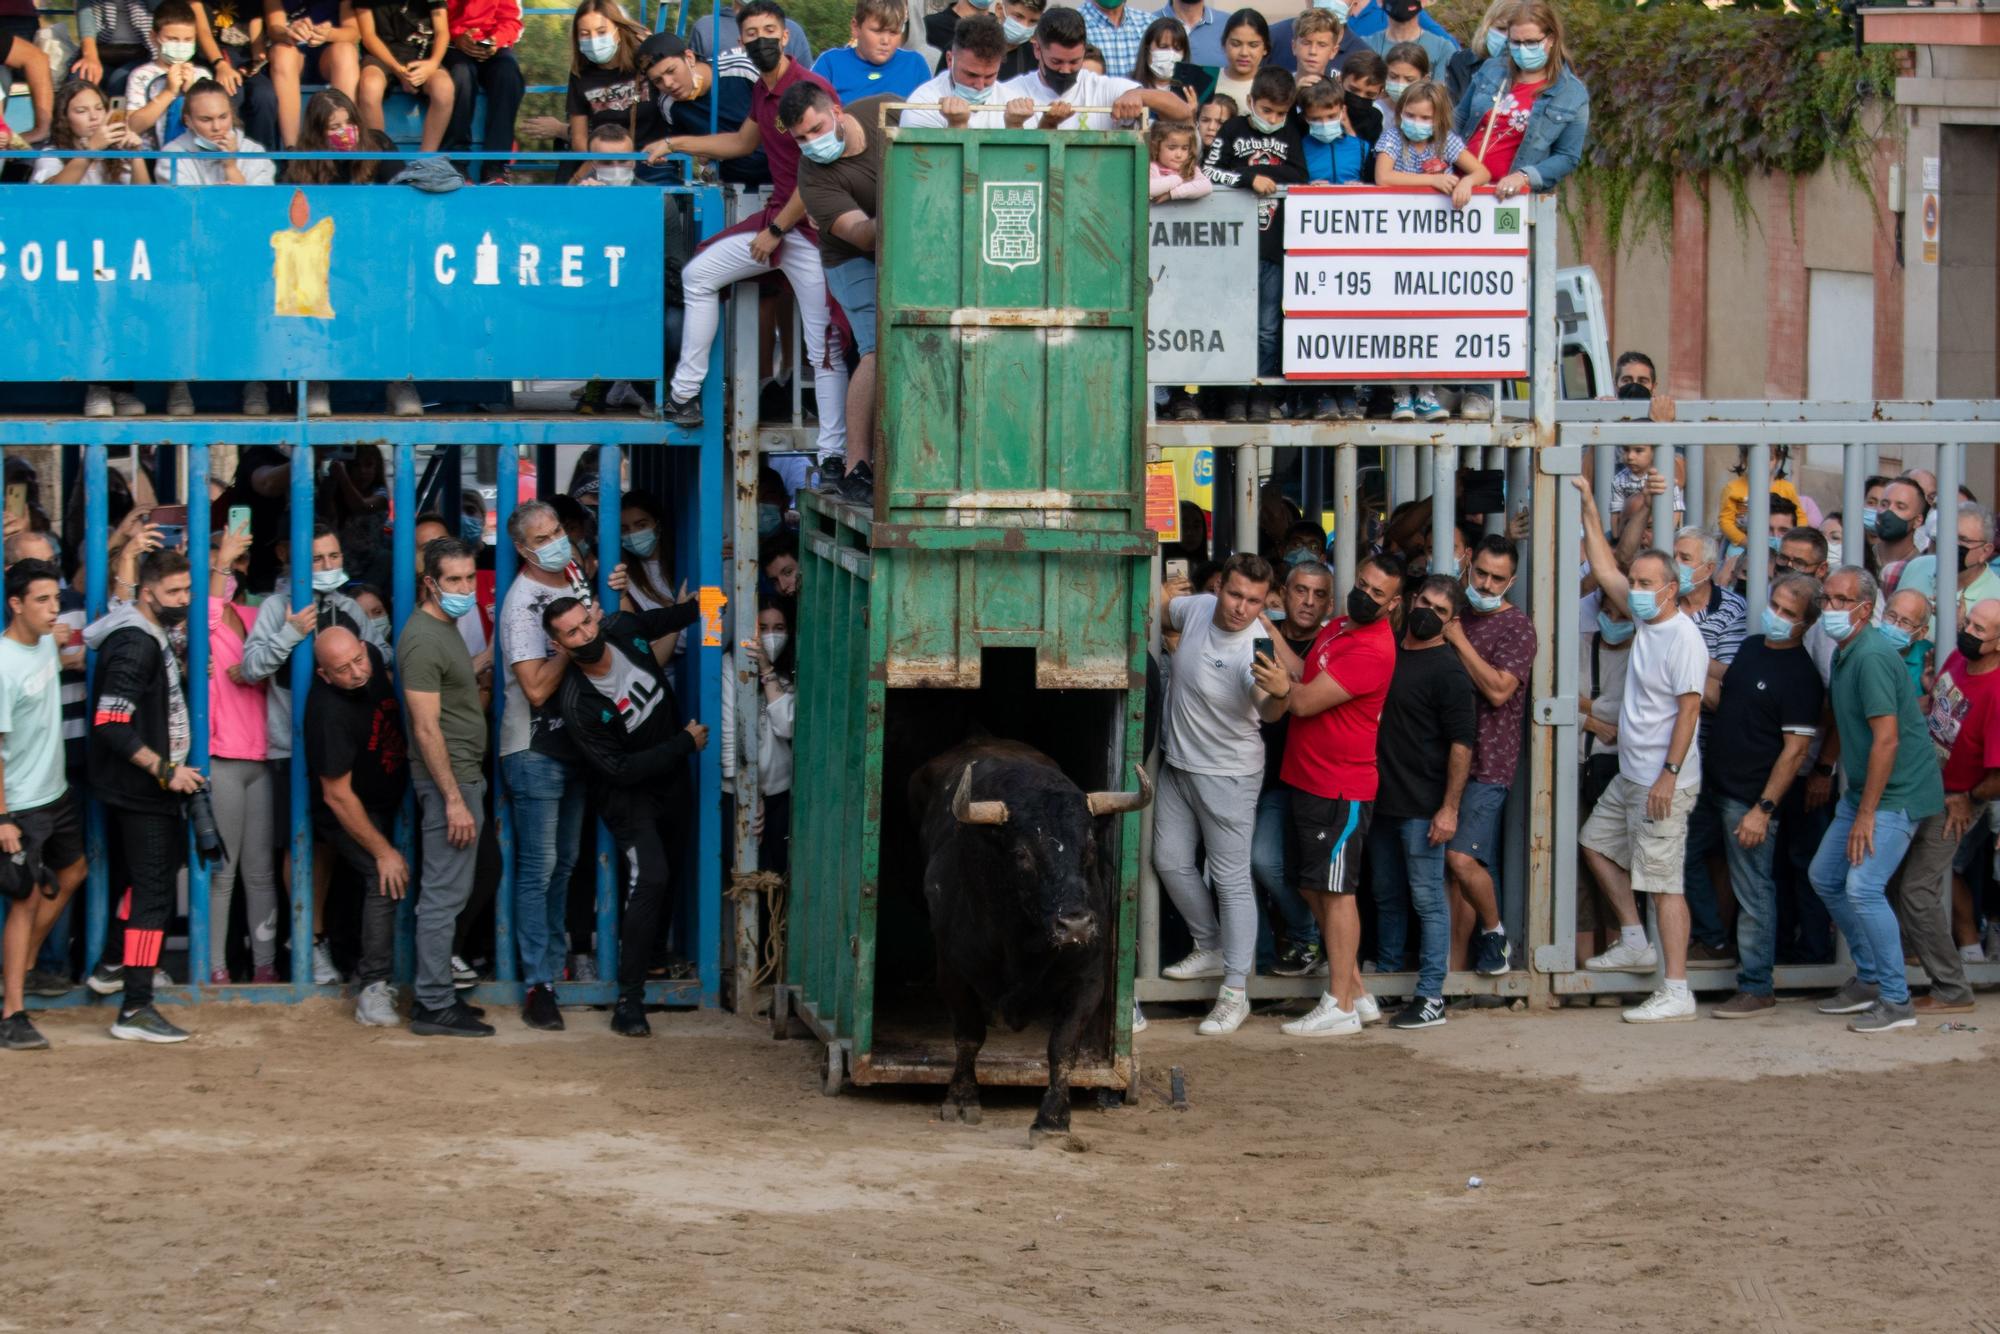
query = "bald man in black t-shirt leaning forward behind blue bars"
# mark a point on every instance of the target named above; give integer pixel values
(359, 759)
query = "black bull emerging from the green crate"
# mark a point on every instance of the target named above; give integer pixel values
(1019, 905)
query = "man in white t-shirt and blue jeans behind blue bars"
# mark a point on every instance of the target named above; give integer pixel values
(543, 787)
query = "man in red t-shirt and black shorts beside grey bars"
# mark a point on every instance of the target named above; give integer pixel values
(1331, 773)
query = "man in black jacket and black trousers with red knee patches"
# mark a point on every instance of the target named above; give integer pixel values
(139, 769)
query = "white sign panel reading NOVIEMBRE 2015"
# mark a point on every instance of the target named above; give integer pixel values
(1407, 351)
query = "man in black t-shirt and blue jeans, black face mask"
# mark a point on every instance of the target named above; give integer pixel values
(1425, 751)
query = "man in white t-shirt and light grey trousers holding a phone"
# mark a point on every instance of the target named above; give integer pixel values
(1211, 781)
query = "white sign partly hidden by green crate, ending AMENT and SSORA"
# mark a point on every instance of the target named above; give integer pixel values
(1201, 309)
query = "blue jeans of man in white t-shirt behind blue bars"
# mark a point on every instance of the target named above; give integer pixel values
(547, 803)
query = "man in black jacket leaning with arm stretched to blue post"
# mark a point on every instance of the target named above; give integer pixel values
(621, 715)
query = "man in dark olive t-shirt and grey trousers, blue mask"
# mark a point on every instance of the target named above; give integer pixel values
(441, 695)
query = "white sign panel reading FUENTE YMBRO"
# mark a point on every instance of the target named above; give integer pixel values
(1345, 219)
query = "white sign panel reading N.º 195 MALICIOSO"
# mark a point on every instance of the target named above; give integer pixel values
(1403, 285)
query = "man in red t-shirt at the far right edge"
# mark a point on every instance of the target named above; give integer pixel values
(1965, 727)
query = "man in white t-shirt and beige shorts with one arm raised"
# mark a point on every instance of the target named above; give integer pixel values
(1637, 839)
